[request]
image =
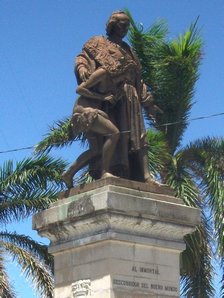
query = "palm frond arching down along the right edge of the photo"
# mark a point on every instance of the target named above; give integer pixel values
(206, 159)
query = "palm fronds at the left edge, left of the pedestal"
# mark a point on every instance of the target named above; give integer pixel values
(29, 186)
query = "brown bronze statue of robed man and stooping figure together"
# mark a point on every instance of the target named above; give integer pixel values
(109, 110)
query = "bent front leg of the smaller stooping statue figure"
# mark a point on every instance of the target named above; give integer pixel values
(106, 128)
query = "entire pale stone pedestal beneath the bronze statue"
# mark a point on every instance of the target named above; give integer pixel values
(116, 239)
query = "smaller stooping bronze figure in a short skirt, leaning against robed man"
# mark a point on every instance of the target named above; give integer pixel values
(88, 117)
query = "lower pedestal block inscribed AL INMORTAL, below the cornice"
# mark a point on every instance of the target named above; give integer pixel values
(113, 268)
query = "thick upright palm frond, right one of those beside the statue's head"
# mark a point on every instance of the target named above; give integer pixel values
(175, 75)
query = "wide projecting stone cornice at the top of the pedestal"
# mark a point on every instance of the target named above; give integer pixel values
(109, 209)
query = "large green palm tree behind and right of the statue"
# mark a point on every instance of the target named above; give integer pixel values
(195, 171)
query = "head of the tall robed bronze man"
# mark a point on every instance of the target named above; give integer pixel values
(118, 23)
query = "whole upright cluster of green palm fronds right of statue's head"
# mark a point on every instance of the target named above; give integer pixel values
(170, 68)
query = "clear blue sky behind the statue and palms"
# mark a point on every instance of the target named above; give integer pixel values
(39, 40)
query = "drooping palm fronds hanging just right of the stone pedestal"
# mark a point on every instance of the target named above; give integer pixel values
(201, 163)
